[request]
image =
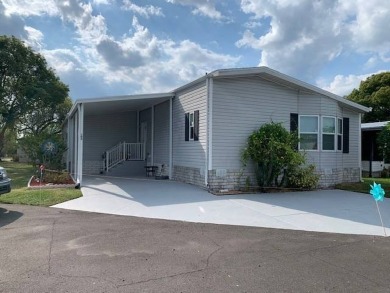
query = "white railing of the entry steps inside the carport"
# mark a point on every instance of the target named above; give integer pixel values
(123, 151)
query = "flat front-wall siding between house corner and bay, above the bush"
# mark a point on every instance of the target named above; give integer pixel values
(241, 106)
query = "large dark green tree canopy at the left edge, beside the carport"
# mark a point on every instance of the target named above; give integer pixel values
(29, 89)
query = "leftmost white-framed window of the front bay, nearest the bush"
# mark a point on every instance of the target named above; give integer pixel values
(308, 132)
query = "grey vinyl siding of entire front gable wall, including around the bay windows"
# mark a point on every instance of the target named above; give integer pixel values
(242, 105)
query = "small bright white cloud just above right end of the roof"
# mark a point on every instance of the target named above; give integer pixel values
(343, 85)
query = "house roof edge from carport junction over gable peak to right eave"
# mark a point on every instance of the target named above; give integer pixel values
(276, 77)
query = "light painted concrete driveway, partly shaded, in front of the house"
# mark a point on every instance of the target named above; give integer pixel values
(333, 211)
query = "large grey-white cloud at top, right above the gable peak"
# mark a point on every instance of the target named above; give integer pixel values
(303, 36)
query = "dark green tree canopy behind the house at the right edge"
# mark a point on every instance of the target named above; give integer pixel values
(374, 92)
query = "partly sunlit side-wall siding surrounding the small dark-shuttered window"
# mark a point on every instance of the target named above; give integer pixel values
(190, 153)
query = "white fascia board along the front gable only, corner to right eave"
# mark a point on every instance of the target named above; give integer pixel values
(266, 70)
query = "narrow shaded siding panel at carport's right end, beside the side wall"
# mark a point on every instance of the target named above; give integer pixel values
(161, 133)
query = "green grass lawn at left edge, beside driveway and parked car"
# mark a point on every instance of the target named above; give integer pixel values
(20, 174)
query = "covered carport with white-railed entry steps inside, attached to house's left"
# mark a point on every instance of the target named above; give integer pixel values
(119, 136)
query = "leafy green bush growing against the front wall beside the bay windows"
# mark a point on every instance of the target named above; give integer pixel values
(277, 163)
